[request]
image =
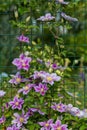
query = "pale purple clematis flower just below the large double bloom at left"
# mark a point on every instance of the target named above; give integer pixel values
(17, 79)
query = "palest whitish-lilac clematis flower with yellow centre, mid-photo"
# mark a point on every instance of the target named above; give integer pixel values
(50, 78)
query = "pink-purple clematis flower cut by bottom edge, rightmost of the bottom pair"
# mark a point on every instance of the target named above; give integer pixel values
(59, 126)
